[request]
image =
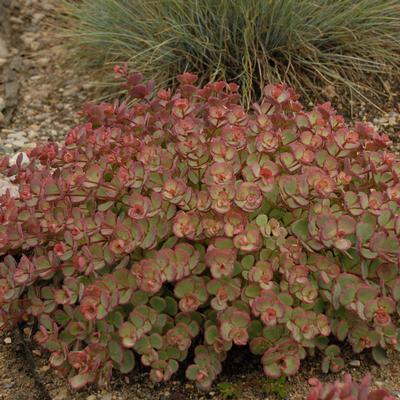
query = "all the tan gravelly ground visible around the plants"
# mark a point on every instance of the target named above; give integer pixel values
(40, 95)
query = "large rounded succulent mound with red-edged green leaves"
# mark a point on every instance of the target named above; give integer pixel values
(182, 226)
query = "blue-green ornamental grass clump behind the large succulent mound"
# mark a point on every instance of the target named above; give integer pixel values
(308, 44)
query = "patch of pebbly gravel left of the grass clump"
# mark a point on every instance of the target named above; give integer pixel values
(39, 95)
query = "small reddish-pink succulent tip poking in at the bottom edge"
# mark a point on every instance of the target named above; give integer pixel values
(347, 389)
